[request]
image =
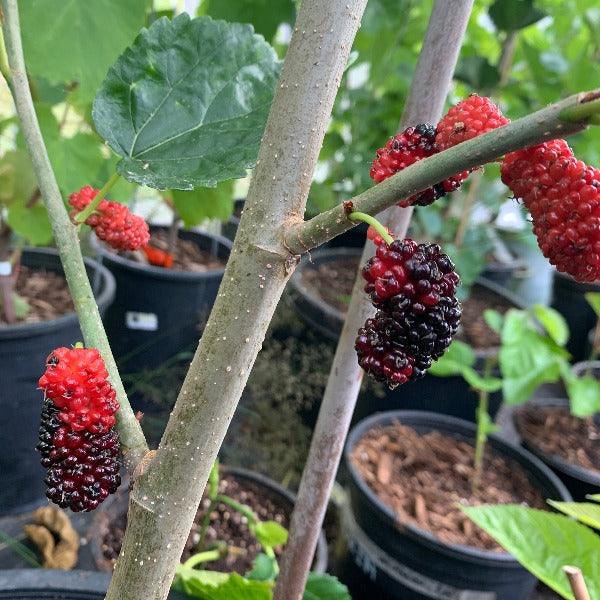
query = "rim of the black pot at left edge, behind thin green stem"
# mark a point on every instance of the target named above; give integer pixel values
(106, 295)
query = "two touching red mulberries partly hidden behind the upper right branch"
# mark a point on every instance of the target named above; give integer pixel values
(468, 119)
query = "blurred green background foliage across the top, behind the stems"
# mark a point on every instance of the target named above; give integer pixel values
(524, 53)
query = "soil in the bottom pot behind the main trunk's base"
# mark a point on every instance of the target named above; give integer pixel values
(226, 525)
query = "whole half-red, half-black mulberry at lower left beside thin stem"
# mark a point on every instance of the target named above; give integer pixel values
(77, 440)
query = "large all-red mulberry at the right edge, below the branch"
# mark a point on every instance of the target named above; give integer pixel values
(562, 195)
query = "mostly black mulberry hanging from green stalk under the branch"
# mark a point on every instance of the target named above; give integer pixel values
(413, 287)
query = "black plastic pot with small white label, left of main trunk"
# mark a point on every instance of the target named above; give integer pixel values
(158, 312)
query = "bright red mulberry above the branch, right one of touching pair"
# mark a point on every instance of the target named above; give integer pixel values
(468, 119)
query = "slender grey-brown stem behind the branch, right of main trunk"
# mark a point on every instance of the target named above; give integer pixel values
(425, 102)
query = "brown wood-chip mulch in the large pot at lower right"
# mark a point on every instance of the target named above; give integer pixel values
(422, 478)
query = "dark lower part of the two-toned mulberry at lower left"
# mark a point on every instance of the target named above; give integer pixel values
(83, 467)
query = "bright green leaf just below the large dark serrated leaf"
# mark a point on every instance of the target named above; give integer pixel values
(204, 203)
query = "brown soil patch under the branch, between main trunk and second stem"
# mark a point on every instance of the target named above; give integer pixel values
(332, 281)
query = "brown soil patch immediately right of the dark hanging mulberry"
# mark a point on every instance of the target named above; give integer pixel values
(473, 328)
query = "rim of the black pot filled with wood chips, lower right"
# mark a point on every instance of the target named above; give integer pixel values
(460, 426)
